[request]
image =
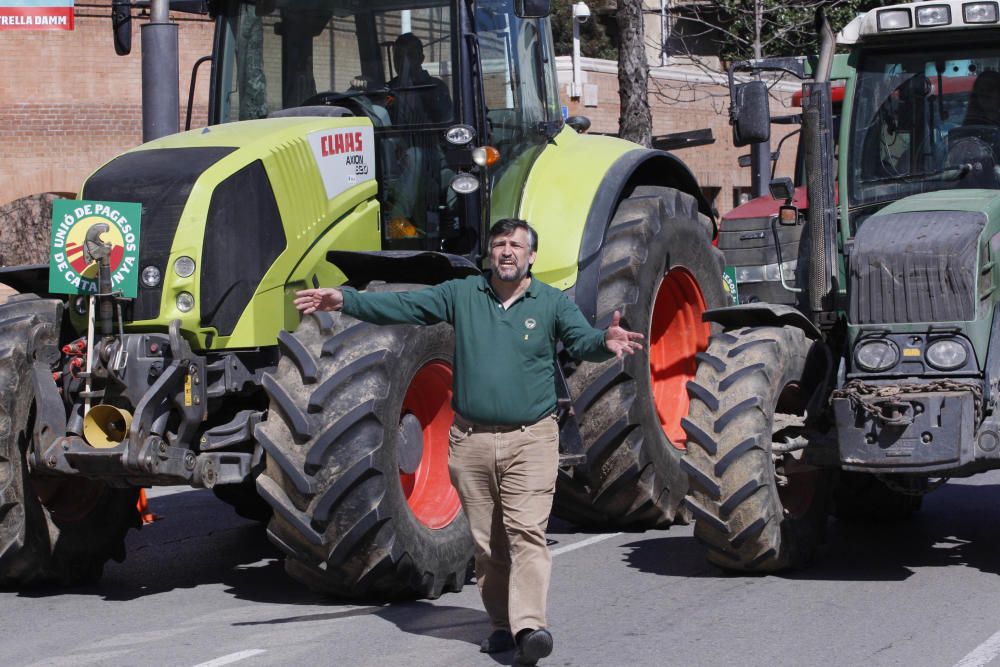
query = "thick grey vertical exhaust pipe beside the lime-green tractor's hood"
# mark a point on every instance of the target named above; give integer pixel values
(160, 74)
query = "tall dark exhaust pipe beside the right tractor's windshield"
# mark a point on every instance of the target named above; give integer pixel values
(817, 138)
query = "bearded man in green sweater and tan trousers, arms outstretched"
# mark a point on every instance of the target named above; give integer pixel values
(503, 446)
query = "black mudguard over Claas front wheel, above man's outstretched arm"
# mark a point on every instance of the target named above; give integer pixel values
(400, 266)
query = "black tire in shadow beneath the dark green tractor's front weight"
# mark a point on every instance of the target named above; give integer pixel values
(863, 497)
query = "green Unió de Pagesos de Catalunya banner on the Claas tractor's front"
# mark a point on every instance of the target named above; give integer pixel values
(77, 240)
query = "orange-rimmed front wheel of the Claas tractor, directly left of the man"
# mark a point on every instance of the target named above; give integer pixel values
(357, 460)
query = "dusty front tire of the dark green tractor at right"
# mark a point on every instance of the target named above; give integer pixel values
(746, 377)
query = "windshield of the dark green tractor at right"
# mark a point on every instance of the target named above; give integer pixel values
(923, 121)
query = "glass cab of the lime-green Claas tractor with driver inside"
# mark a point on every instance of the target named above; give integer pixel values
(451, 88)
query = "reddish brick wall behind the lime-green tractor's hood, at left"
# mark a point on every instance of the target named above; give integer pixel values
(68, 103)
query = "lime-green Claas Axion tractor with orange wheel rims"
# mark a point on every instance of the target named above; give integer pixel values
(364, 143)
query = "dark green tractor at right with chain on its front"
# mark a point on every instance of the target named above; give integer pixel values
(882, 381)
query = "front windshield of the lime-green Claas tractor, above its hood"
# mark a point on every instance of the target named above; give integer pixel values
(388, 60)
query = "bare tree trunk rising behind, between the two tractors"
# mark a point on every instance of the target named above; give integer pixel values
(635, 122)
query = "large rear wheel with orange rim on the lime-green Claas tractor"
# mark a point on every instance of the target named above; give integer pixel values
(659, 268)
